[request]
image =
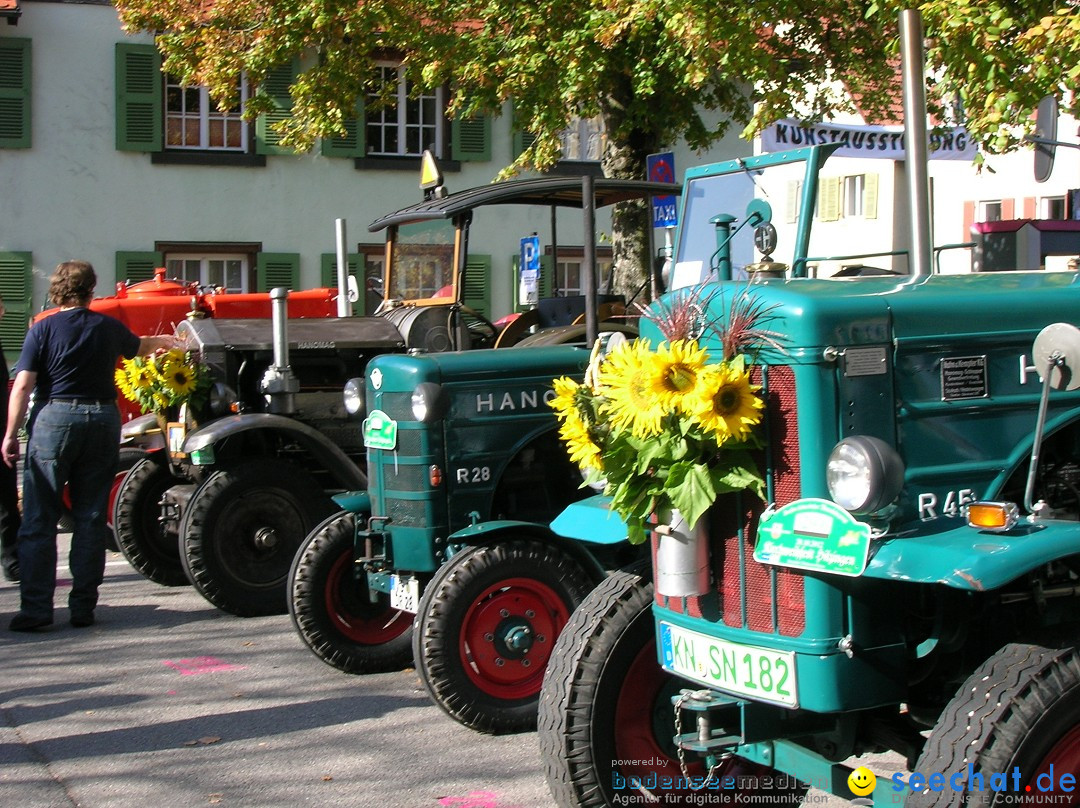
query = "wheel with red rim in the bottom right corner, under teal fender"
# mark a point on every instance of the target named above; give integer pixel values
(1019, 711)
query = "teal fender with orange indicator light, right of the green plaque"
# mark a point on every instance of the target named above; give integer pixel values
(969, 559)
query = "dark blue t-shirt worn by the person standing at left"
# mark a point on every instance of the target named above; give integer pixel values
(75, 354)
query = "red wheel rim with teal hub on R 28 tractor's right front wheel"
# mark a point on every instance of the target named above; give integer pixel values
(508, 635)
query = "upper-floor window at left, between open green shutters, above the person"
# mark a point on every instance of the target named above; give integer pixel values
(194, 122)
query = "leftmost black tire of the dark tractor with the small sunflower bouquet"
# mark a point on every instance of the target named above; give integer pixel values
(153, 551)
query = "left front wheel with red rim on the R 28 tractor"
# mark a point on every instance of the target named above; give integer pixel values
(332, 609)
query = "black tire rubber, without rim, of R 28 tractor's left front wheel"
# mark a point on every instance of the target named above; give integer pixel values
(306, 607)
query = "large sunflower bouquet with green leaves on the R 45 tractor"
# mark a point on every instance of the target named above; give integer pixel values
(668, 427)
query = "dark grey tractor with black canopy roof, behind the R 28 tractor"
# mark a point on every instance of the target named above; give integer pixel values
(248, 482)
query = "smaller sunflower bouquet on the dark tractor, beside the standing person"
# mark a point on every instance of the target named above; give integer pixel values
(165, 381)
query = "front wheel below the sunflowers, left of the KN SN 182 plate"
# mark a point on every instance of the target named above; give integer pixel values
(605, 699)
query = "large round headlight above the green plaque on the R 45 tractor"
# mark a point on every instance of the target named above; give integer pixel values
(865, 475)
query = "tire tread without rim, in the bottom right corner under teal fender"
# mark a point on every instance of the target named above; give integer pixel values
(993, 711)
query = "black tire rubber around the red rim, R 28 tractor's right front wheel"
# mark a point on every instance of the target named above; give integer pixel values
(437, 657)
